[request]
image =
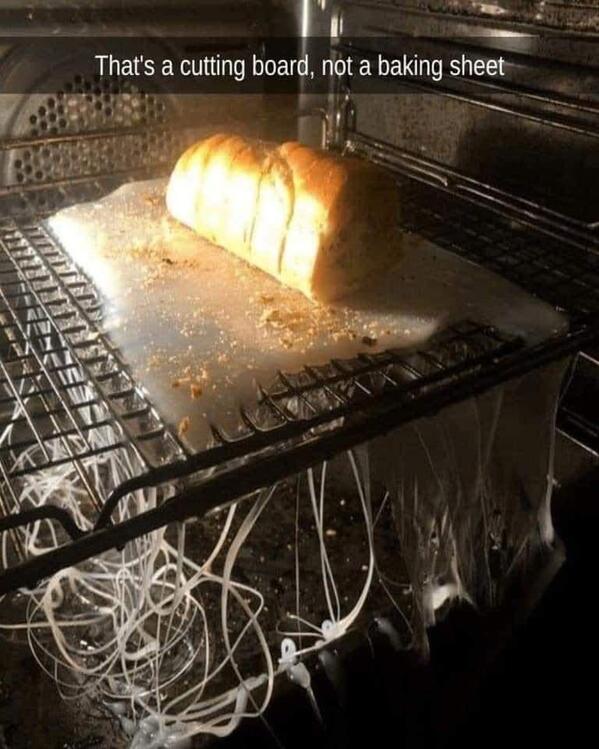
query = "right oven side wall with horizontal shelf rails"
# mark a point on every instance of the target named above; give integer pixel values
(533, 133)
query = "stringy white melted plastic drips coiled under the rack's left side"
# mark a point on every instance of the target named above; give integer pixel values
(89, 627)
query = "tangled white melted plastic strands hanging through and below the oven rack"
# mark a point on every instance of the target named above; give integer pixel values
(130, 627)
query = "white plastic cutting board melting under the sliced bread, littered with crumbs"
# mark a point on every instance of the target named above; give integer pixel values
(184, 311)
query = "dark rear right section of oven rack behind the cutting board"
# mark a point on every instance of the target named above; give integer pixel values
(552, 256)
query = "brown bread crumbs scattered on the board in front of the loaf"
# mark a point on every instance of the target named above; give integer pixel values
(278, 319)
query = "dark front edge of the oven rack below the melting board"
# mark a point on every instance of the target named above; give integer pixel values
(268, 454)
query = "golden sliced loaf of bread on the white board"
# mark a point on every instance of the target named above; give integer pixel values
(318, 222)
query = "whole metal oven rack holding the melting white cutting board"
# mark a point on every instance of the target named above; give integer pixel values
(48, 310)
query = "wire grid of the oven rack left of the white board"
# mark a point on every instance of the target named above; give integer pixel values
(65, 396)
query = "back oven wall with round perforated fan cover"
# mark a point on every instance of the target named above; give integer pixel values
(77, 105)
